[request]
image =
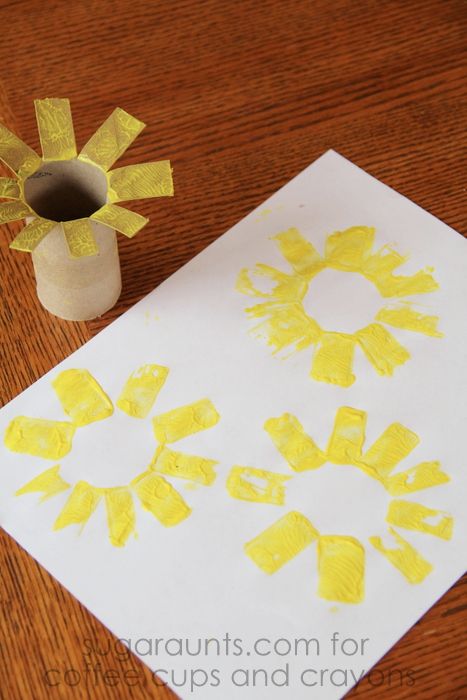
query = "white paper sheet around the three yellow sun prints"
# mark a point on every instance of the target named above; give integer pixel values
(194, 581)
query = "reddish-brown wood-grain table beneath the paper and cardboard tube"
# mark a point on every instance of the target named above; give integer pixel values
(241, 95)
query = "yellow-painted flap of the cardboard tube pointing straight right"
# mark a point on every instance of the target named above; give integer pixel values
(141, 181)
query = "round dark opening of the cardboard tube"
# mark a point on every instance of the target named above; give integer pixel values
(64, 190)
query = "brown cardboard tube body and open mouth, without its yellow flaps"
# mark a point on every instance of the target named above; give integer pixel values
(75, 289)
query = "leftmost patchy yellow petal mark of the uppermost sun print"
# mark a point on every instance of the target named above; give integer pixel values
(284, 287)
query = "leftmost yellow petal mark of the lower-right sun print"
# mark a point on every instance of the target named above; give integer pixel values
(258, 485)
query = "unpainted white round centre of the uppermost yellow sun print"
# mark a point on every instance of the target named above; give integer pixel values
(342, 301)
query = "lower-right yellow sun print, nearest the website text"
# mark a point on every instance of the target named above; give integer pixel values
(341, 557)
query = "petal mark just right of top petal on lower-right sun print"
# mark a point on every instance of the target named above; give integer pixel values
(390, 448)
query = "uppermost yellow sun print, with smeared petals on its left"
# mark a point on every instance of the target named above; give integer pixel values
(284, 322)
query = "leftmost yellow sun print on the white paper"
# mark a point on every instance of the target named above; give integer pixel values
(84, 402)
